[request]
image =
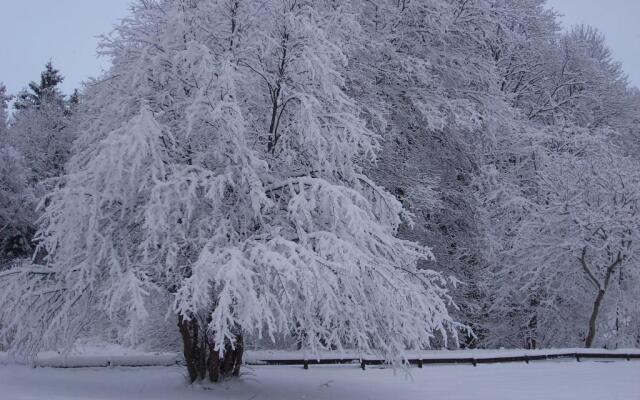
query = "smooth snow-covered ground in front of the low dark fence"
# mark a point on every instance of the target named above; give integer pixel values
(537, 381)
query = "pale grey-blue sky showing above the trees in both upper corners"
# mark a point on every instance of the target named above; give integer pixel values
(34, 31)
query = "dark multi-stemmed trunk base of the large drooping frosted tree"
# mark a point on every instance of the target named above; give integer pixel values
(201, 358)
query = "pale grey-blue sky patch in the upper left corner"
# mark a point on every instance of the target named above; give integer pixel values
(65, 31)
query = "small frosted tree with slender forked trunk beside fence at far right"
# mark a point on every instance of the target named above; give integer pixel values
(582, 236)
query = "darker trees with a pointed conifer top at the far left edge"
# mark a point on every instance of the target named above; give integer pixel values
(34, 148)
